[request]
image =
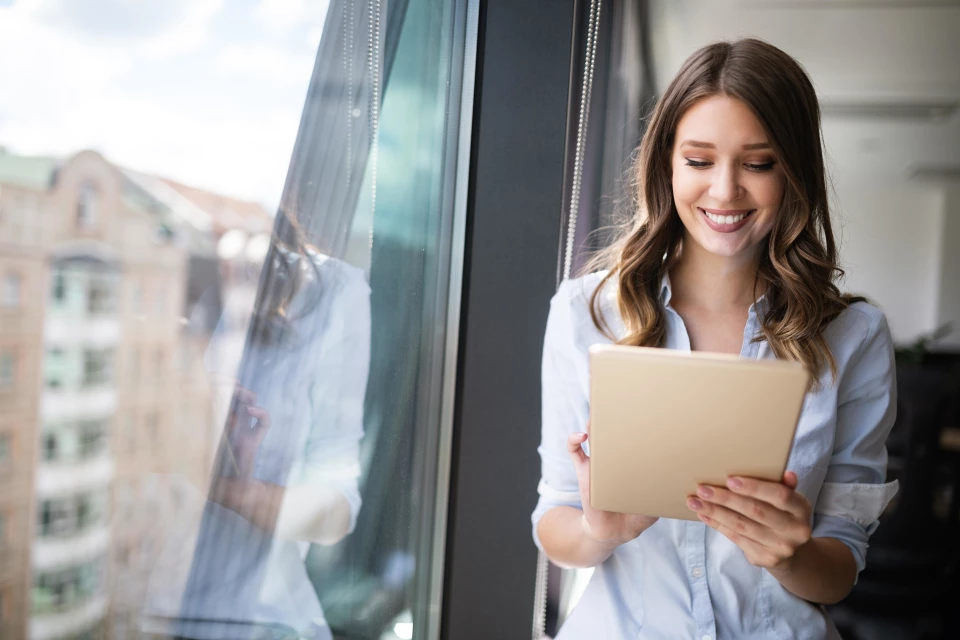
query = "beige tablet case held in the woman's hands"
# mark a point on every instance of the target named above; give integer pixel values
(662, 421)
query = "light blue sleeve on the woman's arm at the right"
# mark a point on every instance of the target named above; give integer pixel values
(854, 493)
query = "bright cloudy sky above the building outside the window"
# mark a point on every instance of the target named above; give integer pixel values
(206, 92)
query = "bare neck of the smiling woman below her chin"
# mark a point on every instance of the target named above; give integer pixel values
(713, 282)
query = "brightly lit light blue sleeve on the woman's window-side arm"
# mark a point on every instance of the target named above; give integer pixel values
(565, 404)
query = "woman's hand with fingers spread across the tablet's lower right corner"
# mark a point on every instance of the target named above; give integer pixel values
(769, 521)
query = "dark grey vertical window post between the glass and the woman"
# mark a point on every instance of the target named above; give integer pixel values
(516, 183)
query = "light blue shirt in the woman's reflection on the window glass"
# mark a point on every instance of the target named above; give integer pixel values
(312, 384)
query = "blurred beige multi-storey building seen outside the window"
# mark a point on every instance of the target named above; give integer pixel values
(111, 285)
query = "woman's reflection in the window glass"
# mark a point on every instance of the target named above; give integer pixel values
(287, 470)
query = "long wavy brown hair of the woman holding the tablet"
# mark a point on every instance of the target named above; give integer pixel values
(798, 267)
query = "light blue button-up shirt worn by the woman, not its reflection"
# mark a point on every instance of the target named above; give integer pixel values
(682, 579)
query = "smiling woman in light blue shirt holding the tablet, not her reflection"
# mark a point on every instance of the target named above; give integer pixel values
(731, 251)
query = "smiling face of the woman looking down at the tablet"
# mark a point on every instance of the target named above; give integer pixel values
(727, 181)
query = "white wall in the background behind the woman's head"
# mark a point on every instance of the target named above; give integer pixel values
(899, 238)
